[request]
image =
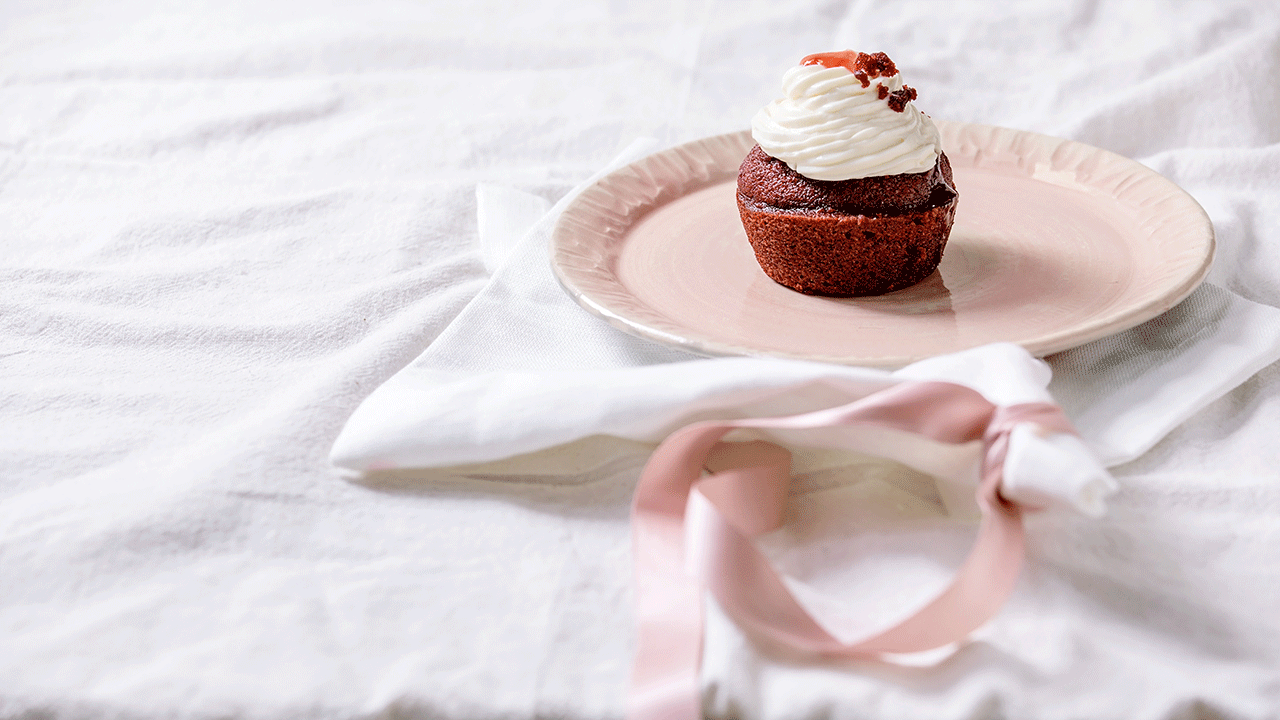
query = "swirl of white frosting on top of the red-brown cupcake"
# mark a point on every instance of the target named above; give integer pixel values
(829, 127)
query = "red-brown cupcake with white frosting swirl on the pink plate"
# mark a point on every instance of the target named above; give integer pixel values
(848, 192)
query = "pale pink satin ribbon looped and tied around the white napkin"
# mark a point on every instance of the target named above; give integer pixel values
(746, 496)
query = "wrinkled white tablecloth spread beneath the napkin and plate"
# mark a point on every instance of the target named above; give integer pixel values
(222, 226)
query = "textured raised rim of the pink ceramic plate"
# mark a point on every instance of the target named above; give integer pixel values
(710, 161)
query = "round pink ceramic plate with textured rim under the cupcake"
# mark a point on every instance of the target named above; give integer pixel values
(1055, 244)
